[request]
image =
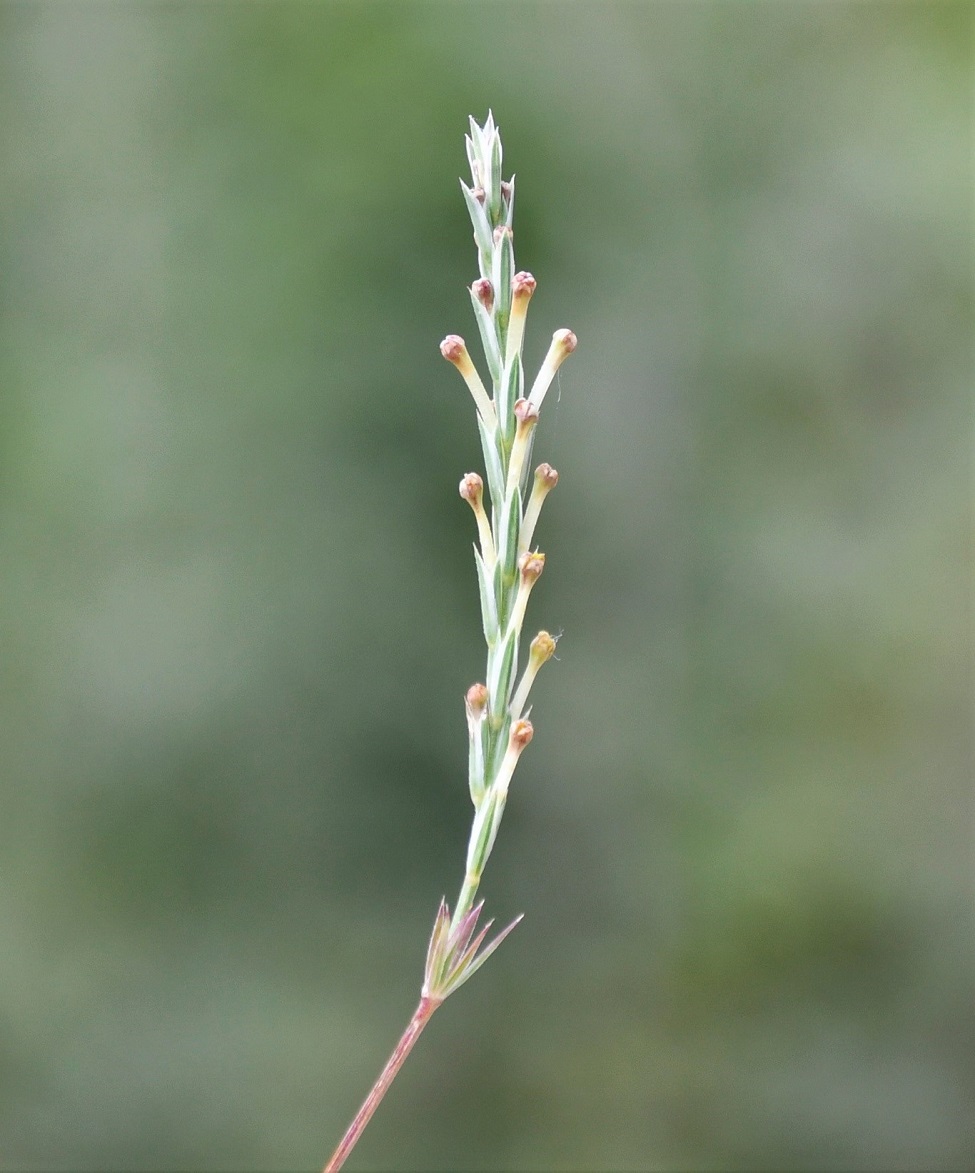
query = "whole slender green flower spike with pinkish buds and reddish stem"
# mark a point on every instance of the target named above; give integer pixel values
(509, 567)
